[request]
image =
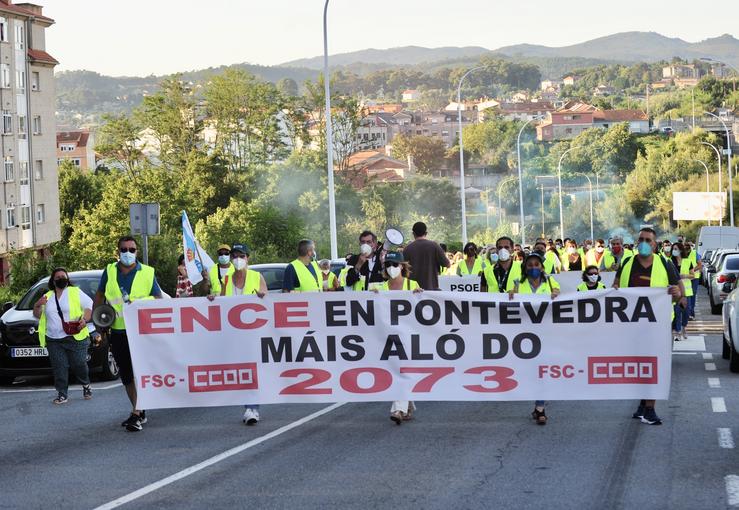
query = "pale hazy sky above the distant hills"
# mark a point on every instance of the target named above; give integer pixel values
(141, 37)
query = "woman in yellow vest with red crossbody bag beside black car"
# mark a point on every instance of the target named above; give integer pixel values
(63, 313)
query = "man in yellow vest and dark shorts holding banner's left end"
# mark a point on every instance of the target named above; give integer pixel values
(123, 282)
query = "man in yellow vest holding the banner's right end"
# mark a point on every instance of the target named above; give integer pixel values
(646, 269)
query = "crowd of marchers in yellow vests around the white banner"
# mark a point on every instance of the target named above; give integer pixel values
(503, 267)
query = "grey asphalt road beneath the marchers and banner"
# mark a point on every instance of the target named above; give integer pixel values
(454, 455)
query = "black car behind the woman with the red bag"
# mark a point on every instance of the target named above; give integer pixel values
(20, 351)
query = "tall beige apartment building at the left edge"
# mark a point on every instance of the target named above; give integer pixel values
(29, 204)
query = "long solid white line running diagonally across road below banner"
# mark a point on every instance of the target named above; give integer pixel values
(214, 460)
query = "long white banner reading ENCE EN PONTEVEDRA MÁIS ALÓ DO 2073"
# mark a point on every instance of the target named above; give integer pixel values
(337, 347)
